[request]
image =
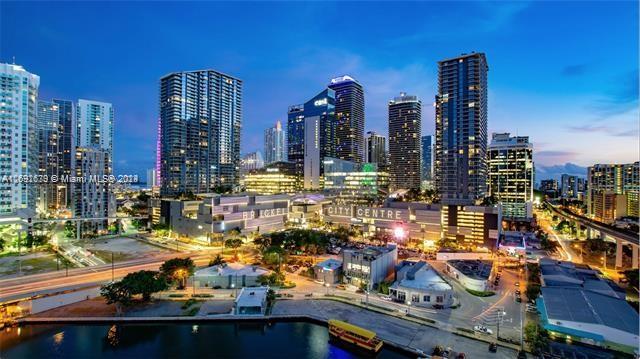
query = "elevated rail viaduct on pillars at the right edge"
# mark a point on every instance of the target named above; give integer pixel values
(622, 238)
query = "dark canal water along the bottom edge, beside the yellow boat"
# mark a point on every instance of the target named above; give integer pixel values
(173, 340)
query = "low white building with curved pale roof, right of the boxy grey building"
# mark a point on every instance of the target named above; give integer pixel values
(420, 284)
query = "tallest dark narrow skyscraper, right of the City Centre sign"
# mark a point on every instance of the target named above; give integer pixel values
(461, 129)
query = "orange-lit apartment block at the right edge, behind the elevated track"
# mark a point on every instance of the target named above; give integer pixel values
(612, 191)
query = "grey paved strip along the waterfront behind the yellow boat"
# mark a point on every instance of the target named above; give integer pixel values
(391, 328)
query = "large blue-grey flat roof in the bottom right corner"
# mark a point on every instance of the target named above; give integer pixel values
(585, 306)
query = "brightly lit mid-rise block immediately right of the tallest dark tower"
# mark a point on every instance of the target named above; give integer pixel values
(511, 175)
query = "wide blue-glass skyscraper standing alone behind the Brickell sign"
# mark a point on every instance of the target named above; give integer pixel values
(201, 119)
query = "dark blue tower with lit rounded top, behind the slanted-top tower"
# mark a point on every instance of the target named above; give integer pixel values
(349, 118)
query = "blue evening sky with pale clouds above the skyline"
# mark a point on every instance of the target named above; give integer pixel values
(563, 73)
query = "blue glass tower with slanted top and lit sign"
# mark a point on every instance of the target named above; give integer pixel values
(311, 136)
